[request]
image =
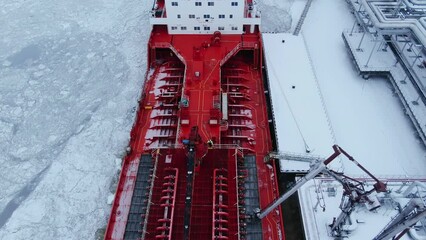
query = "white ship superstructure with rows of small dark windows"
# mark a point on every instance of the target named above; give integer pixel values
(206, 16)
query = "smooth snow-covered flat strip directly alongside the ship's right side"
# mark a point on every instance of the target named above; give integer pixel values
(301, 120)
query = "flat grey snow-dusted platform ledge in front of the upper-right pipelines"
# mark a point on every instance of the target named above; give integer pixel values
(373, 57)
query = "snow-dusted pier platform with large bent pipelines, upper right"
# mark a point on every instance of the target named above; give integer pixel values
(392, 44)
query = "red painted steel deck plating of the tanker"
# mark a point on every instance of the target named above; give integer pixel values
(188, 75)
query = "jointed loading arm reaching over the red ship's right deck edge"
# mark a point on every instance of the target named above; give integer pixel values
(317, 167)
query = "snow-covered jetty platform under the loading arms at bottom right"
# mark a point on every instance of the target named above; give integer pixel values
(321, 197)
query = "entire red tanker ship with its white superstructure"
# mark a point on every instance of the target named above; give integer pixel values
(194, 168)
